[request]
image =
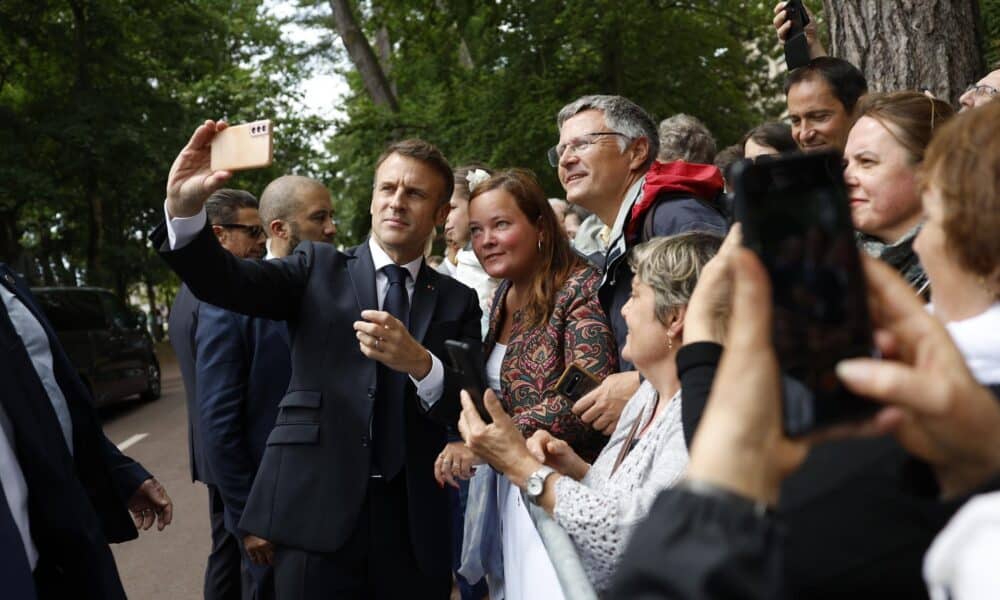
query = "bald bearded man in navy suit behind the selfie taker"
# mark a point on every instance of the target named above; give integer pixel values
(244, 364)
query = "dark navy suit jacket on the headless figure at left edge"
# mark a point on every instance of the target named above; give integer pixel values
(76, 504)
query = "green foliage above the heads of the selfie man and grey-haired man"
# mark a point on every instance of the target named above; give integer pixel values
(531, 58)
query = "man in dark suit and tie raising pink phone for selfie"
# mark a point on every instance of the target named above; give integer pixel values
(345, 490)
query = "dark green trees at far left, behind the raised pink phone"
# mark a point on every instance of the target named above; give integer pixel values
(97, 97)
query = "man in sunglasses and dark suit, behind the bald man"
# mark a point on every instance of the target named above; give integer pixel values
(236, 223)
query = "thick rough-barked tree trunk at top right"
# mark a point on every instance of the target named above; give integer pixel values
(909, 44)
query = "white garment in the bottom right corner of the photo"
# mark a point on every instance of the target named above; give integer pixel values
(961, 563)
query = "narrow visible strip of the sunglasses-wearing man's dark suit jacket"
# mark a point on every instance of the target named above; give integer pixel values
(182, 324)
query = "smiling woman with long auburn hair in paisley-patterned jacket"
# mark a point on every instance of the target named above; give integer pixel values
(545, 316)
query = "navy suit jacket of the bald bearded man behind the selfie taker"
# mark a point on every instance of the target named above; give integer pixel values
(243, 369)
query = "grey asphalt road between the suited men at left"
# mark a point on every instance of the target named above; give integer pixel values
(168, 564)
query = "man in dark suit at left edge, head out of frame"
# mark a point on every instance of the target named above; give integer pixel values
(64, 484)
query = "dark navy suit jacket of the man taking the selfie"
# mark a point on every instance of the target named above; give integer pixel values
(313, 479)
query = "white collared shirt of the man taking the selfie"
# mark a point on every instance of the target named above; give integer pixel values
(182, 230)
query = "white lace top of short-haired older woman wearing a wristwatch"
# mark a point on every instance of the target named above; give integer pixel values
(600, 511)
